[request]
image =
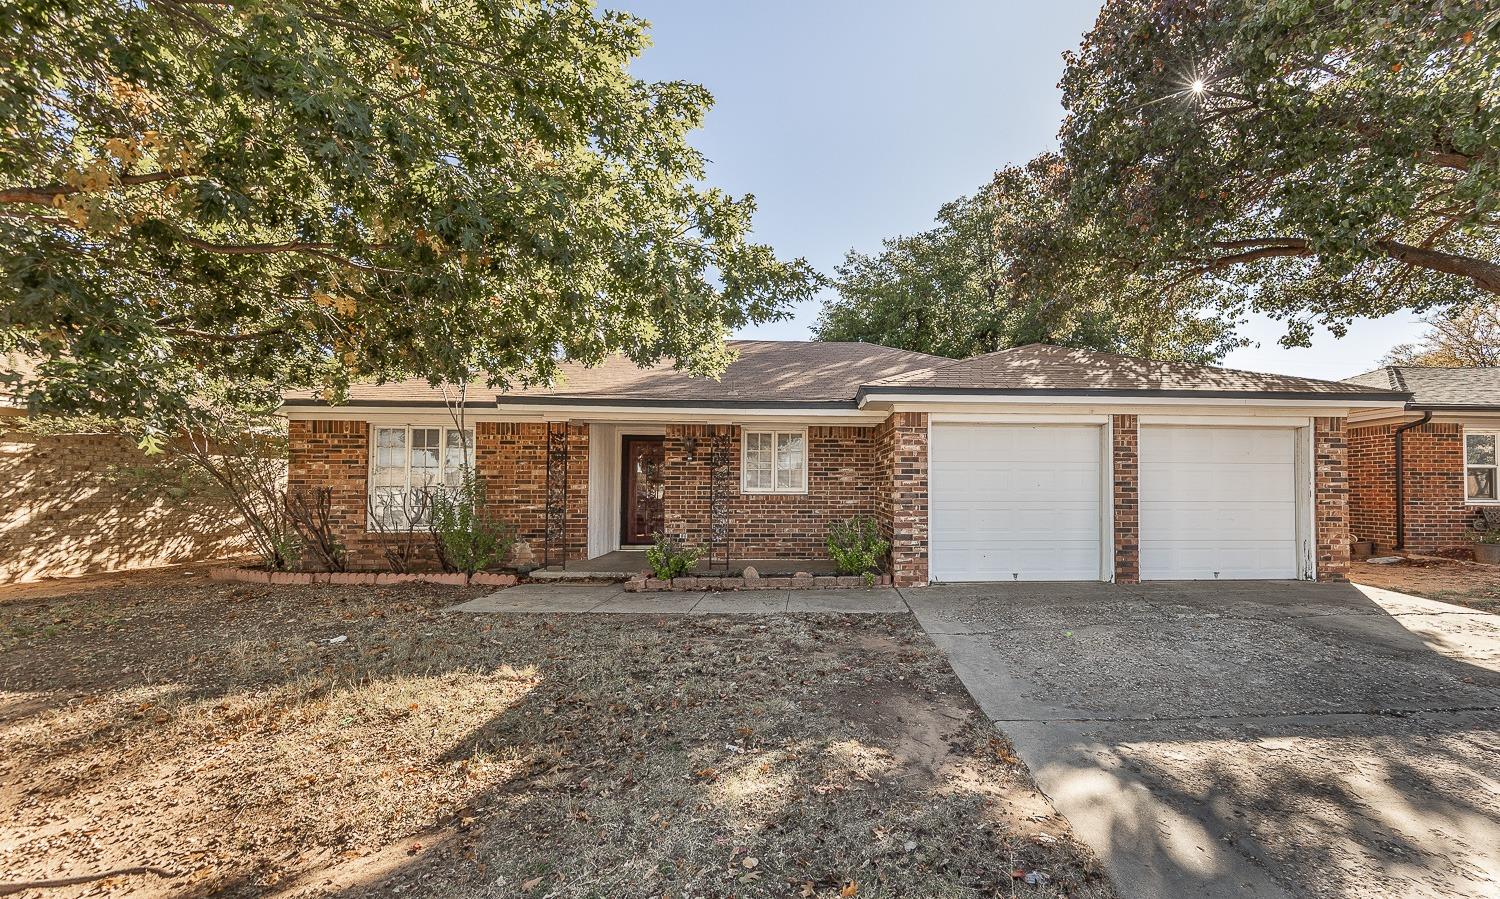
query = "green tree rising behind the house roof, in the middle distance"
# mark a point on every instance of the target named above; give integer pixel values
(1003, 269)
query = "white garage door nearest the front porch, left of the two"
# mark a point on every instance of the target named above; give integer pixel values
(1015, 504)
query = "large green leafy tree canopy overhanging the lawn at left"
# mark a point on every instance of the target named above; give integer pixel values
(308, 193)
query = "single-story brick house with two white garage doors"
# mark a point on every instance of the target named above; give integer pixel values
(1030, 465)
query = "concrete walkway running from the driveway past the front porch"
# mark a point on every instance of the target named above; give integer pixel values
(613, 598)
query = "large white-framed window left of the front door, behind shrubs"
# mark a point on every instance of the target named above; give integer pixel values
(412, 463)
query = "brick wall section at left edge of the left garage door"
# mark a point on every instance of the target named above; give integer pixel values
(902, 495)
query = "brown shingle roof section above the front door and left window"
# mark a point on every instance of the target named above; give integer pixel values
(782, 373)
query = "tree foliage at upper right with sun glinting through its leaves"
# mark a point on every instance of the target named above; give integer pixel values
(1318, 161)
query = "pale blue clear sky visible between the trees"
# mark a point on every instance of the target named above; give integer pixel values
(853, 122)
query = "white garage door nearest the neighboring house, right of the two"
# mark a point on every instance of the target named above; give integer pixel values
(1219, 504)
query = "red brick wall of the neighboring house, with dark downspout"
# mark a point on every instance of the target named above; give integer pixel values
(1436, 514)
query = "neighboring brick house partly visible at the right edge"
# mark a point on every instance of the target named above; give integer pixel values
(1423, 475)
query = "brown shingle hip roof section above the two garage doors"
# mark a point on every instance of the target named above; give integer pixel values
(1039, 367)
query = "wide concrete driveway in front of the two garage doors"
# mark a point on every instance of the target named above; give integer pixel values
(1267, 741)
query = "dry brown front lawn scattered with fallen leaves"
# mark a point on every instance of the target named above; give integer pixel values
(215, 741)
